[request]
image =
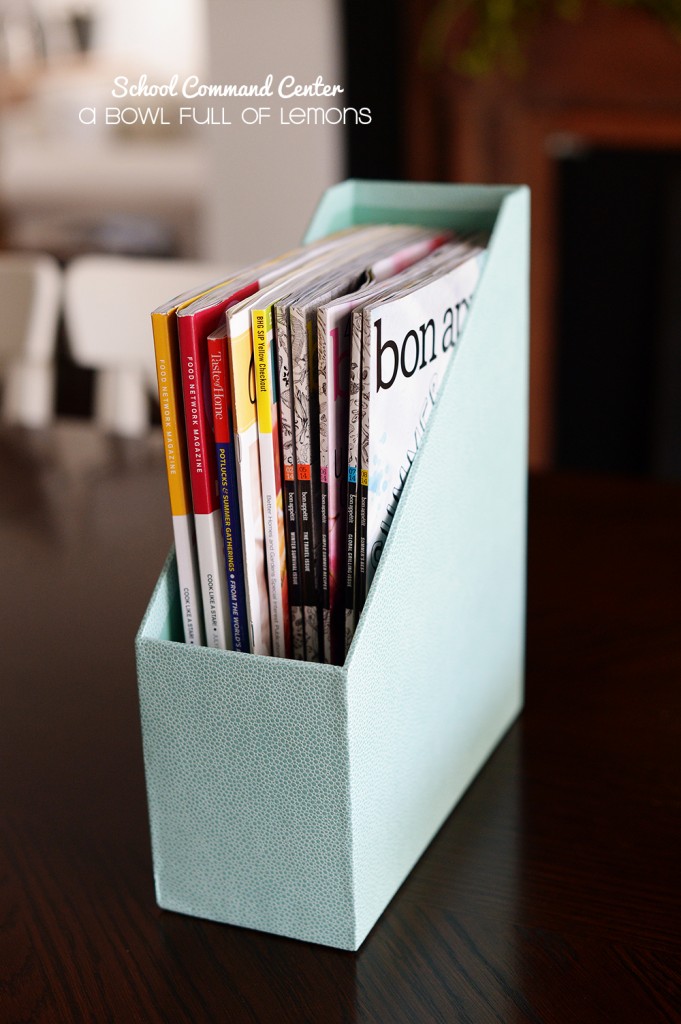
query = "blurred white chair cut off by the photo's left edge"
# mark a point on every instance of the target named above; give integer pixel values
(30, 305)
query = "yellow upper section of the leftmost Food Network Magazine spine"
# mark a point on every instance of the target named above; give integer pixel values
(173, 422)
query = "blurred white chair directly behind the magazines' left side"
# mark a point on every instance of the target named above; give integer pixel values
(108, 307)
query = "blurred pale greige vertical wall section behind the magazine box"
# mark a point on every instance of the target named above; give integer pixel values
(265, 181)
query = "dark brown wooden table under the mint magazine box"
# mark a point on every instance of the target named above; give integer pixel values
(551, 894)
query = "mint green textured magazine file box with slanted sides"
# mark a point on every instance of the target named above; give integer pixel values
(295, 798)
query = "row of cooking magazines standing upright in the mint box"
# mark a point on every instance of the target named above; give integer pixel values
(294, 398)
